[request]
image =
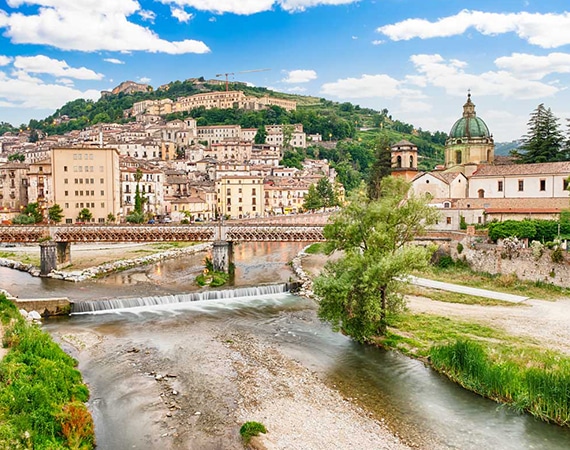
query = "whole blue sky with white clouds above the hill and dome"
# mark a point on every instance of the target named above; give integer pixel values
(417, 58)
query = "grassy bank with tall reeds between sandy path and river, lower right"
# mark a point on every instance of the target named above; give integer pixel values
(510, 370)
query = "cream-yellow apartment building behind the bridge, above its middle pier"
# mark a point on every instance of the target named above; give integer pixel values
(240, 196)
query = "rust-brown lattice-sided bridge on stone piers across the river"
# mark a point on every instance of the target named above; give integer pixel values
(55, 241)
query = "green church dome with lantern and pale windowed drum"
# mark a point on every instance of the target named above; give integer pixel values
(469, 143)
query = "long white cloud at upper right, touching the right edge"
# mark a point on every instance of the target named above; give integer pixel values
(536, 28)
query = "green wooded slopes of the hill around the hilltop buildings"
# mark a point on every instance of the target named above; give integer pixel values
(356, 131)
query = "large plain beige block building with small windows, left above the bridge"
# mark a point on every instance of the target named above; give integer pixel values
(86, 177)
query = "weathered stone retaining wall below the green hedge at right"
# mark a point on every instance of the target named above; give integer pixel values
(524, 263)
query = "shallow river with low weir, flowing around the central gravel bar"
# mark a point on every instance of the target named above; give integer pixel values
(425, 409)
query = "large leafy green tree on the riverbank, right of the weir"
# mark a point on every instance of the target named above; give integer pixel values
(359, 290)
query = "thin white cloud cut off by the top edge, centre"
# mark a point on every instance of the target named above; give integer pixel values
(247, 7)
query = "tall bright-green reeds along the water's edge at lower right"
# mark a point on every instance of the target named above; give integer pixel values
(542, 388)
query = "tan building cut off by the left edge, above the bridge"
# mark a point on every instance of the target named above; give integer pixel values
(14, 180)
